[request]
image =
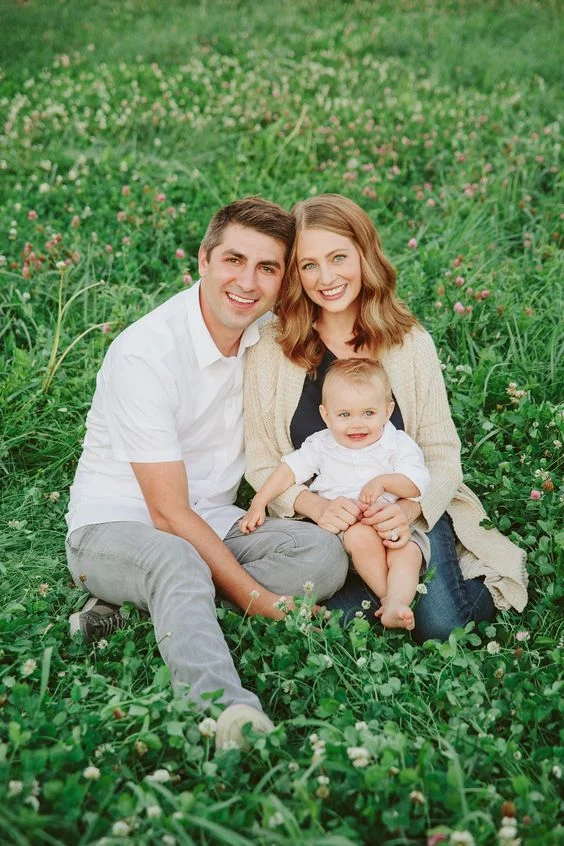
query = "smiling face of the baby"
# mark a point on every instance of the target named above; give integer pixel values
(356, 413)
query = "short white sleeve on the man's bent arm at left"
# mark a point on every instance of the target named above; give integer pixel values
(140, 402)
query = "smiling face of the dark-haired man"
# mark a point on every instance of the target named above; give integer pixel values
(241, 278)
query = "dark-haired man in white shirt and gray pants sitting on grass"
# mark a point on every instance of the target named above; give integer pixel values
(151, 516)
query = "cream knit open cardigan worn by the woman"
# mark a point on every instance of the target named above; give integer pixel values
(273, 386)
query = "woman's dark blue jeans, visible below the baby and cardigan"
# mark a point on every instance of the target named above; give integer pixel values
(450, 601)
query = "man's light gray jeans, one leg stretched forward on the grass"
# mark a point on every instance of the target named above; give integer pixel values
(164, 575)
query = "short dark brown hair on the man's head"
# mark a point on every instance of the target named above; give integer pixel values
(254, 213)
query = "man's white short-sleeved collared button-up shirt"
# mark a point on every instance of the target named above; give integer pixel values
(164, 393)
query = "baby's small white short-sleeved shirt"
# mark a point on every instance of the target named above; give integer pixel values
(342, 471)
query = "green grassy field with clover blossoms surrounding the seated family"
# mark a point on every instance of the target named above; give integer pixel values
(123, 127)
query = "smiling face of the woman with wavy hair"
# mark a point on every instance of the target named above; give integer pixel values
(329, 268)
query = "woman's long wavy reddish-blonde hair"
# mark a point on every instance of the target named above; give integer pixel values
(382, 320)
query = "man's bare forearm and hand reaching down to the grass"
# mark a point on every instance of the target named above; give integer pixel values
(165, 488)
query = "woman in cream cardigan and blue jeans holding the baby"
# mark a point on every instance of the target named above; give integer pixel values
(339, 301)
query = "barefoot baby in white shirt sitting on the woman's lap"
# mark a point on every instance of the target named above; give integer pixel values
(361, 455)
